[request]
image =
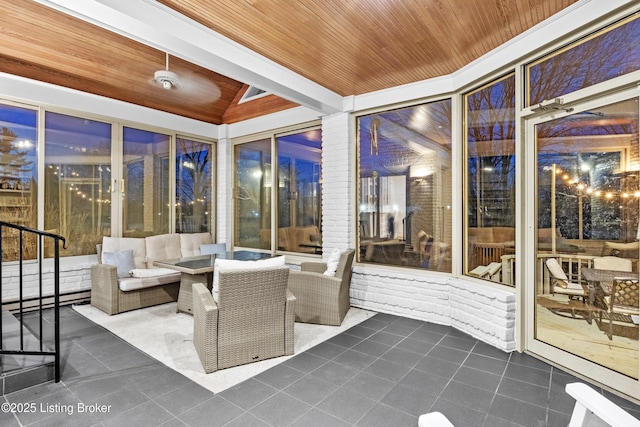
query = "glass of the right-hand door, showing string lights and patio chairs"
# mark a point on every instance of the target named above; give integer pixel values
(588, 198)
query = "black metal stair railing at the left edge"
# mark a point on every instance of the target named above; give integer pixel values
(14, 240)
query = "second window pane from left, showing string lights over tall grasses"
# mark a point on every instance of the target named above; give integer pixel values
(77, 181)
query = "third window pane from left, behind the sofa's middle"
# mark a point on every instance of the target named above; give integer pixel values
(146, 207)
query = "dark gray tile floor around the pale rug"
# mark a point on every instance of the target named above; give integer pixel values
(384, 372)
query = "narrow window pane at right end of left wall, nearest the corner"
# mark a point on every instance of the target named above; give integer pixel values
(194, 166)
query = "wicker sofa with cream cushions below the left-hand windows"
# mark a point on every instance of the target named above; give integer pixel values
(113, 294)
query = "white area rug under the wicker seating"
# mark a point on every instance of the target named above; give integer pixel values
(168, 337)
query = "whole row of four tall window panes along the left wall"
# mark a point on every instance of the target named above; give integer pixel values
(82, 187)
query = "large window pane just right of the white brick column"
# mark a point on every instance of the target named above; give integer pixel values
(405, 186)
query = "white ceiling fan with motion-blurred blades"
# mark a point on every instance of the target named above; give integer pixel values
(187, 83)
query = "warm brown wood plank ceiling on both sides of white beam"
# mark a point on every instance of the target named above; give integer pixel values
(348, 46)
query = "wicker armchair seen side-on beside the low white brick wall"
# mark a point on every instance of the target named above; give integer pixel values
(322, 299)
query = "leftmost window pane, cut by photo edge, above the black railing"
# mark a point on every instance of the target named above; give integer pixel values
(18, 176)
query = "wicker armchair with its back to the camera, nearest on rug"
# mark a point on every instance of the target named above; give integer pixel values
(251, 321)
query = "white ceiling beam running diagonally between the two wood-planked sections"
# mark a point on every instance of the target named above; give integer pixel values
(153, 24)
